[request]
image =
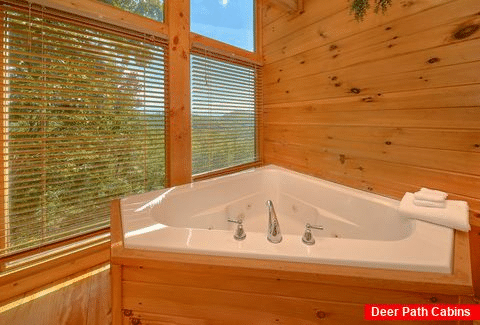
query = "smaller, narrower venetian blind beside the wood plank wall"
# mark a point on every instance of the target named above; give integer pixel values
(225, 105)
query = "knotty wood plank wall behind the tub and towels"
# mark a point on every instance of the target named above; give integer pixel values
(387, 105)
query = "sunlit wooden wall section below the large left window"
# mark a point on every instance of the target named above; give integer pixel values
(86, 302)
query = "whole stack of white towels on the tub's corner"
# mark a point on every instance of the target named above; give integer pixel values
(433, 206)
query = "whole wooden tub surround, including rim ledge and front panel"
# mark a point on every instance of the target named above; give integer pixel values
(171, 288)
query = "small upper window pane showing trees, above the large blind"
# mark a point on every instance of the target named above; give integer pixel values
(148, 8)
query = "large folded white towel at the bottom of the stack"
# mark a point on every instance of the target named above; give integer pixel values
(454, 215)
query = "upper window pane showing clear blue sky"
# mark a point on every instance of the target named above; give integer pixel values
(228, 21)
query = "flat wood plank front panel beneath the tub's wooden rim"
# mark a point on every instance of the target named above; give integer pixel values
(208, 295)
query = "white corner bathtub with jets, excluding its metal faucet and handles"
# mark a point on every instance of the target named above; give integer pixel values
(360, 229)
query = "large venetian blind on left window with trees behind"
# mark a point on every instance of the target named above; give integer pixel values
(83, 123)
